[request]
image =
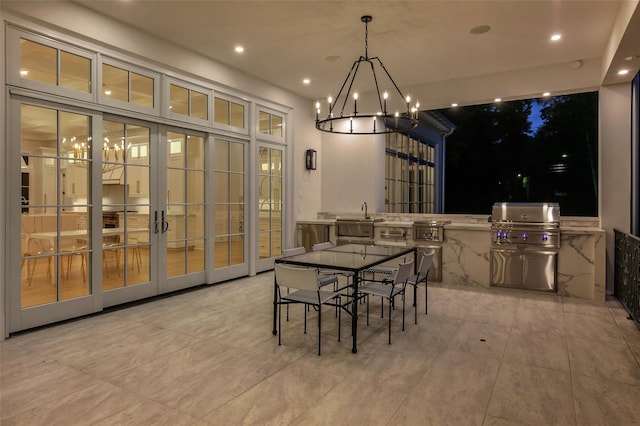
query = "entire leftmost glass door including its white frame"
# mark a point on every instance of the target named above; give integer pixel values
(50, 272)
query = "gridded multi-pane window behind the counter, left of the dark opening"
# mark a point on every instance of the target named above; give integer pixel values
(409, 175)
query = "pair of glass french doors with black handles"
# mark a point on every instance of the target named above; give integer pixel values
(159, 200)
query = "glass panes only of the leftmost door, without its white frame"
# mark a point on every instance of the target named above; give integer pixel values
(56, 250)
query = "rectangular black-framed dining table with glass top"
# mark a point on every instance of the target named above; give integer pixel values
(350, 259)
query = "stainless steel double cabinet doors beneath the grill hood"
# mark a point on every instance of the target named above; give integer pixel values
(524, 268)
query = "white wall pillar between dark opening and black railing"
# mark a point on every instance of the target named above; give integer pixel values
(615, 165)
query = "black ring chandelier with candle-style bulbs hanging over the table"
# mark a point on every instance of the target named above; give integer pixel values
(392, 114)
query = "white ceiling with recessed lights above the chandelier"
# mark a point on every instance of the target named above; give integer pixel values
(419, 42)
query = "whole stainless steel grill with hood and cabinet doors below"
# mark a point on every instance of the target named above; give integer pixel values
(525, 238)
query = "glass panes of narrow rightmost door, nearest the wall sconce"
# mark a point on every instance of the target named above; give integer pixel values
(270, 203)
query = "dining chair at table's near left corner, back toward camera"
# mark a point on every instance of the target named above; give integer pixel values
(303, 288)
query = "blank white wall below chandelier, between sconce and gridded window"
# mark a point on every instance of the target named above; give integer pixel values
(353, 169)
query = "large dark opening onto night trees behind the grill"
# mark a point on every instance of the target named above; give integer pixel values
(543, 150)
